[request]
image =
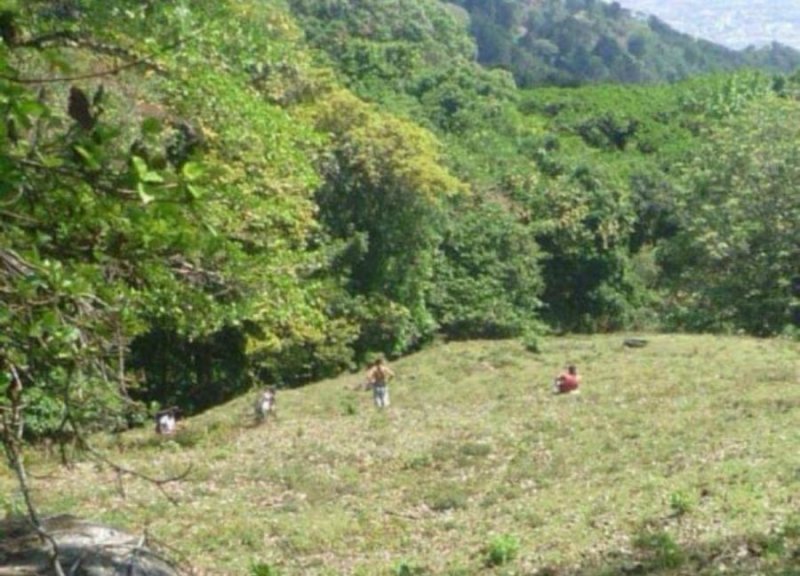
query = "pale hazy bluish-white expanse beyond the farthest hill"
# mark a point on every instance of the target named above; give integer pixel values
(735, 23)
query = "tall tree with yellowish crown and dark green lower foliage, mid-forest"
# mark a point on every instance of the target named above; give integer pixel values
(382, 197)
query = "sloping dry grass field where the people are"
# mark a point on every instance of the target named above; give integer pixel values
(682, 457)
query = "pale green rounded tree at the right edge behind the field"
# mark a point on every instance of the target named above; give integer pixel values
(732, 265)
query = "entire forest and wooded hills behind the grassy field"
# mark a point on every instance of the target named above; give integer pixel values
(201, 197)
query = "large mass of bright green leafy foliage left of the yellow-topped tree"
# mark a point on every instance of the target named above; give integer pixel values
(171, 225)
